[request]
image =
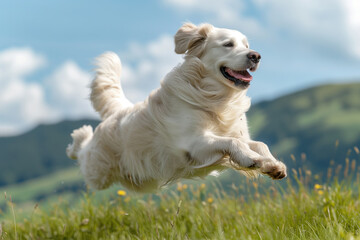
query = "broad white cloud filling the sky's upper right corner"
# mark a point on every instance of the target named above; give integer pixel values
(325, 26)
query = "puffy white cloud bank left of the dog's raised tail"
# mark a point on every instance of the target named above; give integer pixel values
(25, 104)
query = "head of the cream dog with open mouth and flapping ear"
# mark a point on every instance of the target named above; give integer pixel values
(224, 52)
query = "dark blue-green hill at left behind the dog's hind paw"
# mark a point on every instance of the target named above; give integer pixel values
(38, 152)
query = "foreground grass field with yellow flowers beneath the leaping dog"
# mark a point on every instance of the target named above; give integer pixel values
(302, 207)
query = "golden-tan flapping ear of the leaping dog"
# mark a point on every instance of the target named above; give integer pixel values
(190, 39)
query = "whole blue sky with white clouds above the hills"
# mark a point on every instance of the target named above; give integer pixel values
(47, 49)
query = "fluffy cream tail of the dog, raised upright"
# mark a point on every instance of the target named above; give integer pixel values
(107, 95)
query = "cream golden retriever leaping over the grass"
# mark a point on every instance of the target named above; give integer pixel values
(192, 125)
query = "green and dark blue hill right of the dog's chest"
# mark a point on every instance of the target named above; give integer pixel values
(321, 123)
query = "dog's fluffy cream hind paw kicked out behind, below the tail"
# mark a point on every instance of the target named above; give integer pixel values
(80, 137)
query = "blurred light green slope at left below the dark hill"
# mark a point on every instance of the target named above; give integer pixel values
(64, 185)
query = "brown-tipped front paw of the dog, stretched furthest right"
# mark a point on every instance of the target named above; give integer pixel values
(274, 169)
